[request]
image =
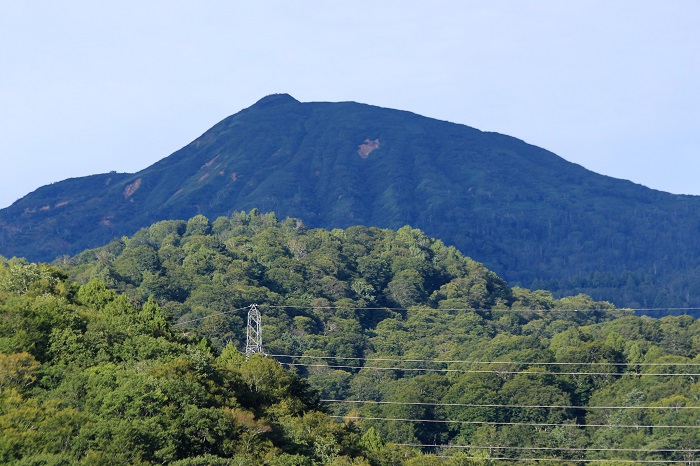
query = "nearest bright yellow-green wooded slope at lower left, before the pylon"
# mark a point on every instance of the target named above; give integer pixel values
(93, 379)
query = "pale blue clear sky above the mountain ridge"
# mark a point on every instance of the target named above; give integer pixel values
(88, 87)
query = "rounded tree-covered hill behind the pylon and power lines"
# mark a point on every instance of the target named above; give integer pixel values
(414, 343)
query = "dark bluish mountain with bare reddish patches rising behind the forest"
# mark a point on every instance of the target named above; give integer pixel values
(528, 214)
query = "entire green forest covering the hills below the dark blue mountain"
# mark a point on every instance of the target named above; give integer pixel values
(382, 348)
